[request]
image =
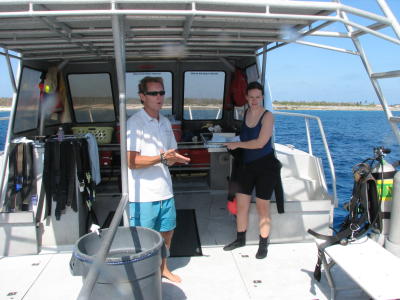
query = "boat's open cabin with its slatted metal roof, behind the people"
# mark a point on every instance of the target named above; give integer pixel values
(79, 68)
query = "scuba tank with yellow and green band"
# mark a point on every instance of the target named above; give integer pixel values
(384, 172)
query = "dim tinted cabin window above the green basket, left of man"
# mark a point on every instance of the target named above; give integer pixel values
(92, 98)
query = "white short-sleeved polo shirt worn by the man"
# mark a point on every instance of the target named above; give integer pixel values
(149, 136)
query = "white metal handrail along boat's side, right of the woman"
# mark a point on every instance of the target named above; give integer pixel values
(322, 132)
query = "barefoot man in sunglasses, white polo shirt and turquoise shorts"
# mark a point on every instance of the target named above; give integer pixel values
(151, 149)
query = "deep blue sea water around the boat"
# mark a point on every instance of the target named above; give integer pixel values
(351, 136)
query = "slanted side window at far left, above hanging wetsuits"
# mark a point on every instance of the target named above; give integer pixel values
(27, 114)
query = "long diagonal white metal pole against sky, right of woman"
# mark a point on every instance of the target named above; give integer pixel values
(368, 68)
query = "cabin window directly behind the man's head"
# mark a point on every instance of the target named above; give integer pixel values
(133, 103)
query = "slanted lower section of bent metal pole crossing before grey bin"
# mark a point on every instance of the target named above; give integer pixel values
(100, 257)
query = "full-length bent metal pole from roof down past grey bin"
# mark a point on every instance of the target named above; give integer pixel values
(119, 39)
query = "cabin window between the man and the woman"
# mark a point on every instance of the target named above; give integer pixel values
(203, 95)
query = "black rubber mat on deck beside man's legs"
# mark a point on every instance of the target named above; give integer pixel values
(186, 240)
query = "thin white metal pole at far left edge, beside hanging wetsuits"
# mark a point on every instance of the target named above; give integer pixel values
(8, 138)
